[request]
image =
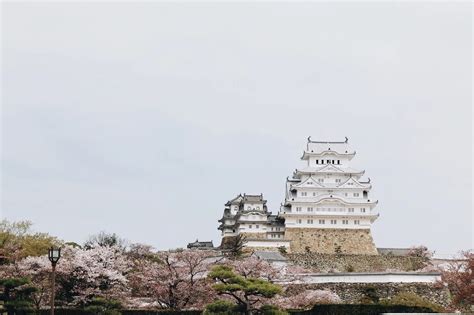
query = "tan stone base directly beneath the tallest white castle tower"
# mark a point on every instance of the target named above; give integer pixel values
(329, 241)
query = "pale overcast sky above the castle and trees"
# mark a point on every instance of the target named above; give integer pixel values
(144, 119)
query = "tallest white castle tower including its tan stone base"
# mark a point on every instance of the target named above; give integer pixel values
(327, 207)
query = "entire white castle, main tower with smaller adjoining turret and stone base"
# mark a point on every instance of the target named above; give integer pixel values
(327, 207)
